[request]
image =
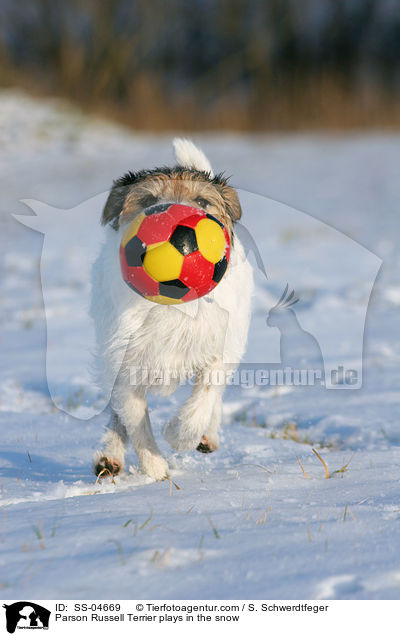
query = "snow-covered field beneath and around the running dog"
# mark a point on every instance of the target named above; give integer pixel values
(259, 518)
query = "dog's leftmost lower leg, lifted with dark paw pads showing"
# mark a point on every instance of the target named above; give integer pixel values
(110, 460)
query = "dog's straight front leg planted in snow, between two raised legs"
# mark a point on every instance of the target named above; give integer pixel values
(131, 407)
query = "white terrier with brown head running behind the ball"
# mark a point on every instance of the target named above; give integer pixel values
(133, 333)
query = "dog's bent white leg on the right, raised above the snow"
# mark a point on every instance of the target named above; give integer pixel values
(198, 421)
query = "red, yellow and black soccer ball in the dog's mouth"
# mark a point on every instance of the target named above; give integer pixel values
(173, 253)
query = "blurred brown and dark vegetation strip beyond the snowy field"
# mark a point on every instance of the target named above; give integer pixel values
(201, 65)
